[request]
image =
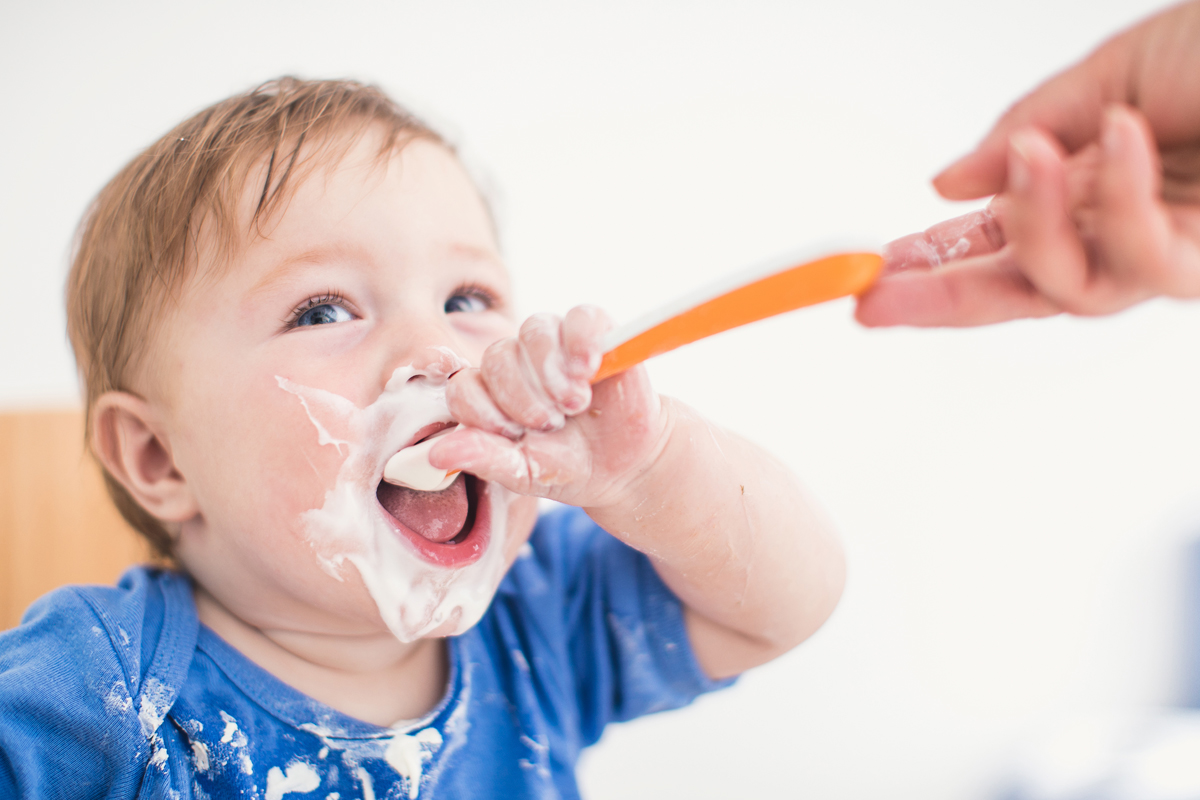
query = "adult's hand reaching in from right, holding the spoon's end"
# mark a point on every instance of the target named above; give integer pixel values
(1097, 208)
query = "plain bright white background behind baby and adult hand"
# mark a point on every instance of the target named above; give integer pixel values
(1012, 500)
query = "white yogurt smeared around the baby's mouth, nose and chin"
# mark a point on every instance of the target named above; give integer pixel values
(423, 585)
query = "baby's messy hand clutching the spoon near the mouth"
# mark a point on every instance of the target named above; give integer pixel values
(533, 423)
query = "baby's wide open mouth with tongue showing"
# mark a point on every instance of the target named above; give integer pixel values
(449, 527)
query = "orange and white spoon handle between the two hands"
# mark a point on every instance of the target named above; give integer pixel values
(781, 291)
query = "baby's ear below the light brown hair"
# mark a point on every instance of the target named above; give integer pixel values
(130, 443)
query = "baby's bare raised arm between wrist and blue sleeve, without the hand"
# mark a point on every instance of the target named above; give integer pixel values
(733, 534)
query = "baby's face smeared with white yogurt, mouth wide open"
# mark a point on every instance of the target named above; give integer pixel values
(292, 377)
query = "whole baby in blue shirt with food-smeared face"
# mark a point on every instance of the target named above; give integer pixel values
(267, 306)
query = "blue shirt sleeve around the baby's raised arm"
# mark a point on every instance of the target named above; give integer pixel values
(627, 642)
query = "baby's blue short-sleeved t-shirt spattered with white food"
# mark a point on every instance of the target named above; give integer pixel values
(121, 693)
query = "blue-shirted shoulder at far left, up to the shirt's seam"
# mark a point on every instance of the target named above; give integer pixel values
(87, 678)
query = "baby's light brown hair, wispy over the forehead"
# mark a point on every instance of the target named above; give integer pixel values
(137, 244)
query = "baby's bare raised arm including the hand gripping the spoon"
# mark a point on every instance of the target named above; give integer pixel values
(728, 527)
